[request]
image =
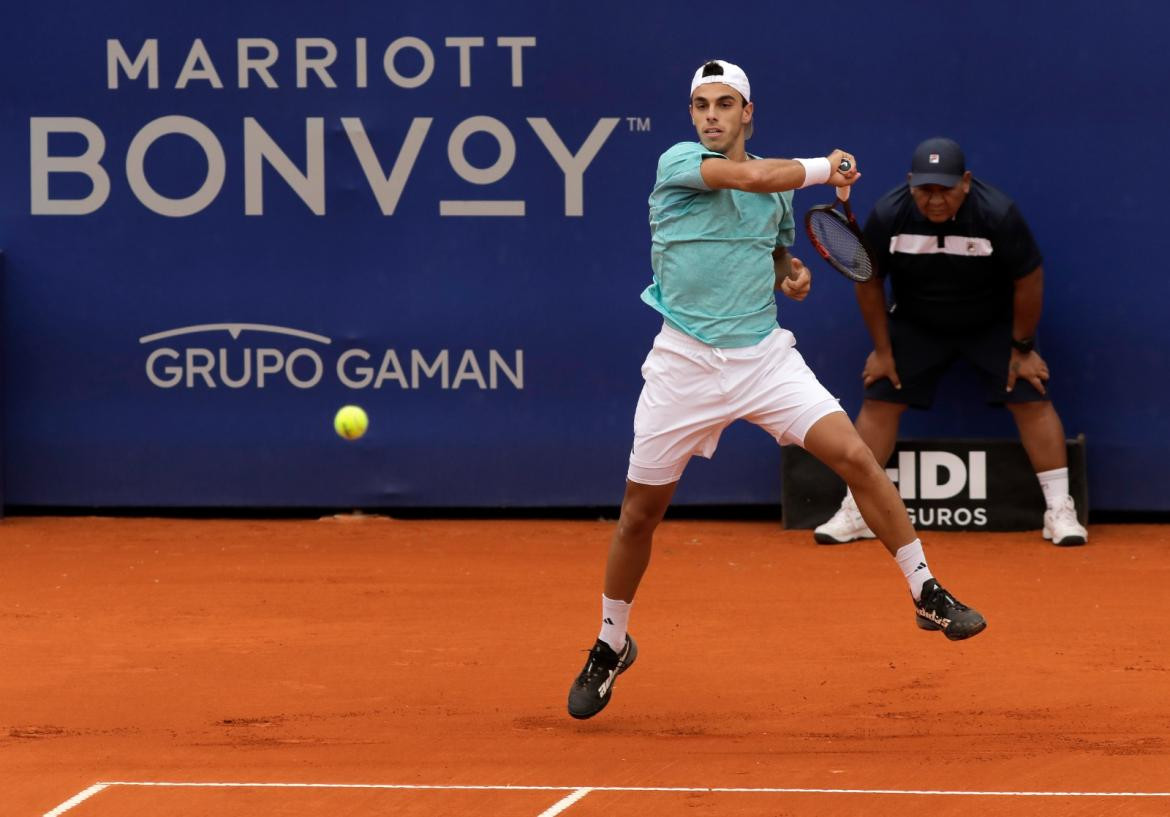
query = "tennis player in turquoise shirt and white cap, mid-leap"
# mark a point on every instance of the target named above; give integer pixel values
(721, 224)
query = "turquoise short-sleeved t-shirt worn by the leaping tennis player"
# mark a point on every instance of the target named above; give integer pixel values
(712, 252)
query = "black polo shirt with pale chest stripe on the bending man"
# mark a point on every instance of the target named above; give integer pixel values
(953, 277)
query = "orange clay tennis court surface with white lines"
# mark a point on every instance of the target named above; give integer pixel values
(378, 667)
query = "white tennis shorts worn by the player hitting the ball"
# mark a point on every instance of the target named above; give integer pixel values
(694, 392)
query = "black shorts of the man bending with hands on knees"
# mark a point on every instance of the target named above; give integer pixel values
(923, 358)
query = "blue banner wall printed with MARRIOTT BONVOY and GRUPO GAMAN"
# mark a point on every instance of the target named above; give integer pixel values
(224, 222)
